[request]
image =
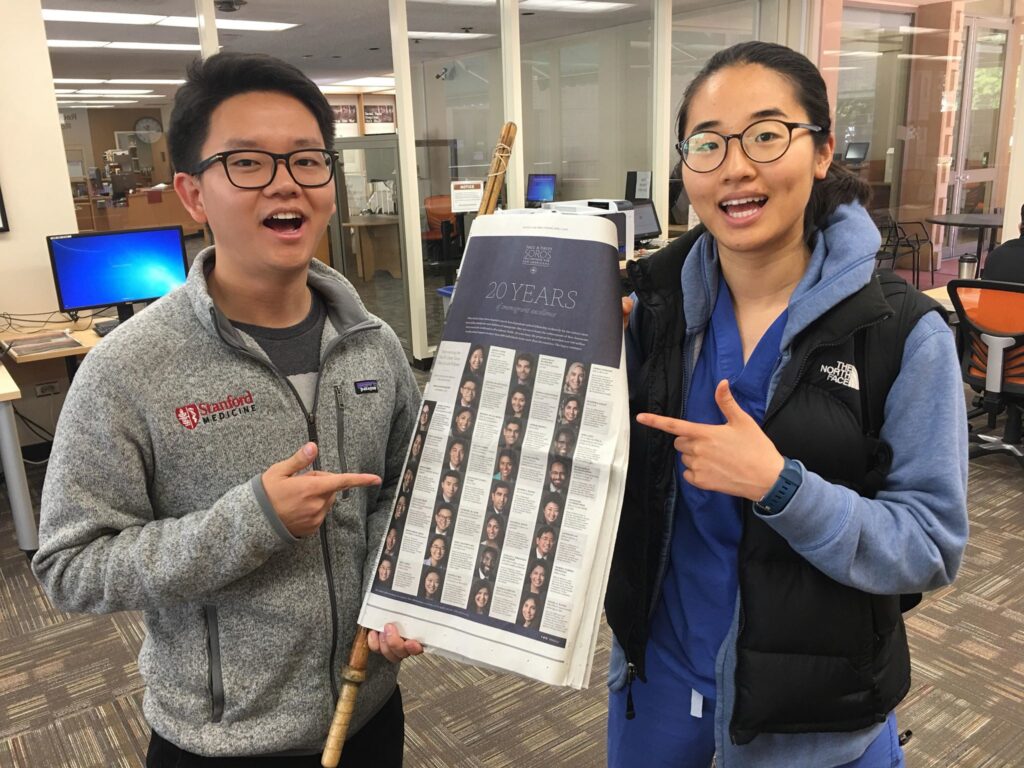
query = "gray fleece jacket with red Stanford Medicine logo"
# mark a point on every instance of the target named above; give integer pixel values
(153, 502)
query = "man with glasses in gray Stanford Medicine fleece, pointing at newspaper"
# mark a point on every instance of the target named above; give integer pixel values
(199, 473)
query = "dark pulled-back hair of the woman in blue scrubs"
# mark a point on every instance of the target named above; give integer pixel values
(840, 186)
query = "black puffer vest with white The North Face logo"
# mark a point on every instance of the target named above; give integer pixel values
(813, 655)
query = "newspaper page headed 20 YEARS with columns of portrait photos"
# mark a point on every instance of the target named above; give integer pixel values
(502, 533)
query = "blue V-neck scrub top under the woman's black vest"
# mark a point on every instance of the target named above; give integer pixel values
(700, 590)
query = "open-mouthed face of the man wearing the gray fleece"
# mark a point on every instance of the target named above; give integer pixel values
(255, 229)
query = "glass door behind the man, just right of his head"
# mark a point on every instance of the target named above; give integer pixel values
(368, 229)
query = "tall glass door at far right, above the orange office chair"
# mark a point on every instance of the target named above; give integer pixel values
(973, 182)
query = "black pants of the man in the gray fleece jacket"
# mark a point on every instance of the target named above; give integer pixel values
(378, 745)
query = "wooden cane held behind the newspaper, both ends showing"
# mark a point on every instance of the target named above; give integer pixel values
(356, 671)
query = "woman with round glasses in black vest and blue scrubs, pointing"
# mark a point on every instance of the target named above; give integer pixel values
(762, 621)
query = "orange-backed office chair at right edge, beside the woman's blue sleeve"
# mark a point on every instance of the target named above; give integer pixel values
(992, 319)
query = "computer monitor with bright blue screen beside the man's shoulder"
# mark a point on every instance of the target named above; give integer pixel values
(116, 269)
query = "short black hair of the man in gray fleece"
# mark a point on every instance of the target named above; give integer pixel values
(214, 81)
